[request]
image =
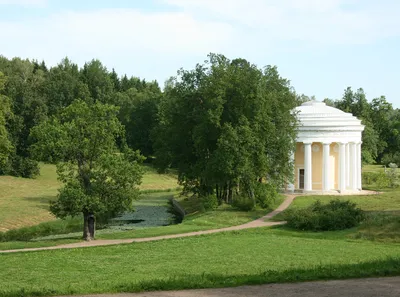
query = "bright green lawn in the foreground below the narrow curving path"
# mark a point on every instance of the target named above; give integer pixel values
(227, 259)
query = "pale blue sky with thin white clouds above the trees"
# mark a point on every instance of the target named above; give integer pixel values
(321, 46)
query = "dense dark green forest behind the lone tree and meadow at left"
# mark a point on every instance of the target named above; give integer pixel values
(31, 93)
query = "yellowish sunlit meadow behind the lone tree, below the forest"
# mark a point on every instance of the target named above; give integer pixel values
(25, 202)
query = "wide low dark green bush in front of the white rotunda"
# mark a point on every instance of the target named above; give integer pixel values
(336, 215)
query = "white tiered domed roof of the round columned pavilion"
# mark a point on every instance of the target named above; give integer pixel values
(316, 118)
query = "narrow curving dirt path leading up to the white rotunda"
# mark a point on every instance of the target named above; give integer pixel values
(102, 242)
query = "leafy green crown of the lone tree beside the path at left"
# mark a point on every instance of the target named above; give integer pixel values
(98, 180)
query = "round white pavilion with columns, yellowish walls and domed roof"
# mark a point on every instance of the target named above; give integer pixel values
(328, 149)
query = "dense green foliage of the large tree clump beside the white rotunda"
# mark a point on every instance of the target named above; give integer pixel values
(224, 125)
